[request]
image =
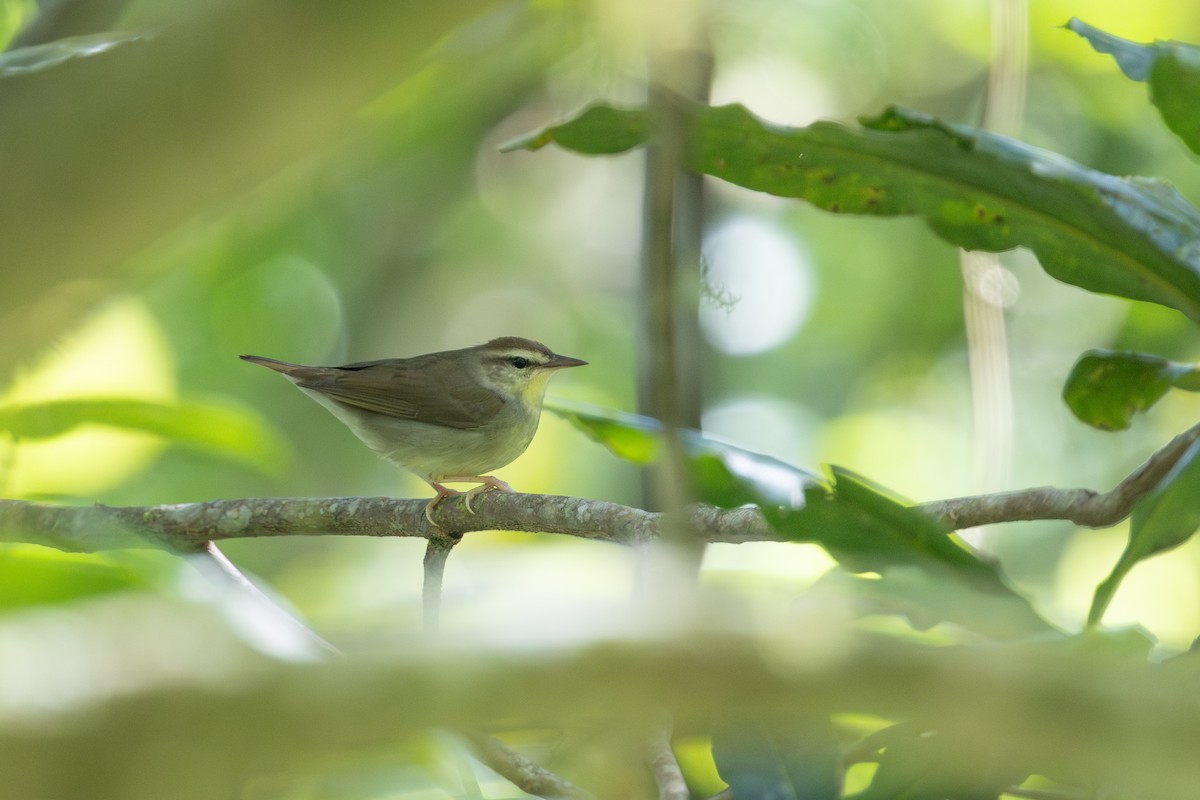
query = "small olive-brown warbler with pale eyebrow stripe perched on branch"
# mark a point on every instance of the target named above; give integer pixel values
(448, 418)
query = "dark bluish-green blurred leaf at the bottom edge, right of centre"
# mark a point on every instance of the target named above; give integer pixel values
(797, 761)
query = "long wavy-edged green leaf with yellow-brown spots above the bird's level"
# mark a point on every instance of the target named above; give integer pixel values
(1133, 238)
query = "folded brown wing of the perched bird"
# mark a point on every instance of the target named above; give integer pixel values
(410, 389)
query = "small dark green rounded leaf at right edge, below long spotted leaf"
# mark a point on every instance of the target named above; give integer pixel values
(1106, 389)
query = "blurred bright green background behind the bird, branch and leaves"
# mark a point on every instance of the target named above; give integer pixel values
(322, 183)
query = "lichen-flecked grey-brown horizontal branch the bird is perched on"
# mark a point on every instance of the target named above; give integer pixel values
(190, 527)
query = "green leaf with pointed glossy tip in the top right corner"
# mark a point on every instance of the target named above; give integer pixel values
(1172, 69)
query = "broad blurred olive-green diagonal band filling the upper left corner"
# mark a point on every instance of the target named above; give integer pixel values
(105, 155)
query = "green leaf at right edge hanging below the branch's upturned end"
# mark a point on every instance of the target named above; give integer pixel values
(1165, 519)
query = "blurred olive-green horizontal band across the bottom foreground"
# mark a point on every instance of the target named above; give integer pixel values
(142, 671)
